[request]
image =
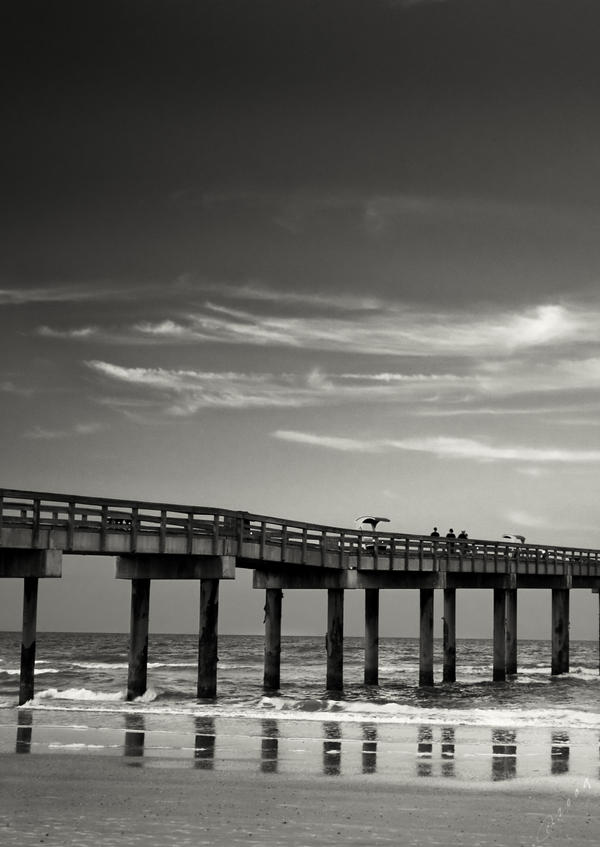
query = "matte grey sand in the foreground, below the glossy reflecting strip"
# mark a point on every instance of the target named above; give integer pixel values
(72, 800)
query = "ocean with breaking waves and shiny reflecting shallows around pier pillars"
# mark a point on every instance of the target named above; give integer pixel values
(532, 727)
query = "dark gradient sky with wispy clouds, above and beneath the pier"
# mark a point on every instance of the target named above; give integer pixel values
(306, 259)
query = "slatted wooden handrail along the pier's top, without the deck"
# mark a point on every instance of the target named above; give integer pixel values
(42, 509)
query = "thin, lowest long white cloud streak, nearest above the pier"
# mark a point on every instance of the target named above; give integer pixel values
(445, 447)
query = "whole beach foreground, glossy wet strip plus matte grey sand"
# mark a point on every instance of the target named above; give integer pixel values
(272, 785)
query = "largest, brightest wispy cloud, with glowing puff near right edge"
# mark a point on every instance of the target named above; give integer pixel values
(394, 331)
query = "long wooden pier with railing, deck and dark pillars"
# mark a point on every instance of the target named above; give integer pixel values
(166, 541)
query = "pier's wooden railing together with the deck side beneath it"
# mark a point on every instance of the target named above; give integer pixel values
(125, 525)
